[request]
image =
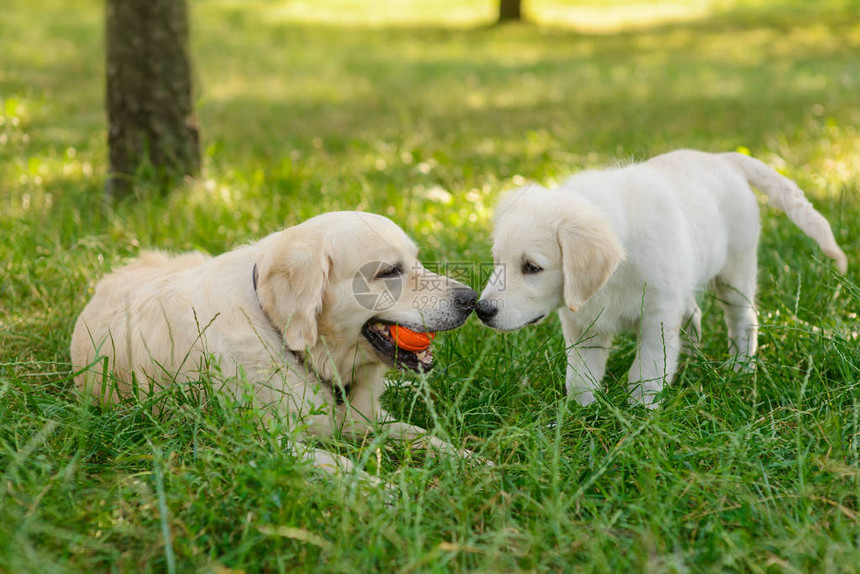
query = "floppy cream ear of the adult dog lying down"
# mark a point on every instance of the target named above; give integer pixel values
(292, 278)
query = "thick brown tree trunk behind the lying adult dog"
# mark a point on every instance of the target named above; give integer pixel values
(151, 122)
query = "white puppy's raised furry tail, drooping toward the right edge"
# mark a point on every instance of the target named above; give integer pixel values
(785, 195)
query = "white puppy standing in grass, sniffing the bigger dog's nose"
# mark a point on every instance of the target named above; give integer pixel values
(630, 248)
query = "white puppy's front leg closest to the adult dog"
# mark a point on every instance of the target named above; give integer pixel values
(586, 359)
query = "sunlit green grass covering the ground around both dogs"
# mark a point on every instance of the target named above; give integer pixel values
(426, 116)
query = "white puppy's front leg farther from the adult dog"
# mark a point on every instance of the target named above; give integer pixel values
(656, 359)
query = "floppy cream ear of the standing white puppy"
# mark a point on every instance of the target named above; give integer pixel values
(590, 253)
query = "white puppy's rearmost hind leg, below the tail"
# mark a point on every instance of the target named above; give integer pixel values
(736, 287)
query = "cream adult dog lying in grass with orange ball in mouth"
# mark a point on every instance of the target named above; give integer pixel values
(300, 318)
